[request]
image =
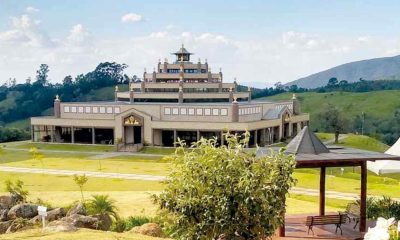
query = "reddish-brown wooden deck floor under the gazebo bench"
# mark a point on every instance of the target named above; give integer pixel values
(296, 229)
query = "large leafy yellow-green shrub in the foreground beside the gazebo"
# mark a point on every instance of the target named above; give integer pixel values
(225, 190)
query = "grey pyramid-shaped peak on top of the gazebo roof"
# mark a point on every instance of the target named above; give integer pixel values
(306, 142)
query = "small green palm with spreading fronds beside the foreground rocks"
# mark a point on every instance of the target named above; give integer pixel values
(103, 205)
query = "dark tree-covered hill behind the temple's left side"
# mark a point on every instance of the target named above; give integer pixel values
(21, 101)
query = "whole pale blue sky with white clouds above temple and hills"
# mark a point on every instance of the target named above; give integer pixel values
(259, 42)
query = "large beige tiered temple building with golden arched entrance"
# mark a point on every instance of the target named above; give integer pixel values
(182, 99)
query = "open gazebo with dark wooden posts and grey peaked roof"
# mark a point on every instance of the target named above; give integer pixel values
(310, 152)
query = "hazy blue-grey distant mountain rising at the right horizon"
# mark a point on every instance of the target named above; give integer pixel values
(372, 69)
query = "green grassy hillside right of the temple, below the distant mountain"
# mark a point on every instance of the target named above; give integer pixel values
(377, 104)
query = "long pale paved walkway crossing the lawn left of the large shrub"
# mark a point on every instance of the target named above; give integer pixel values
(87, 173)
